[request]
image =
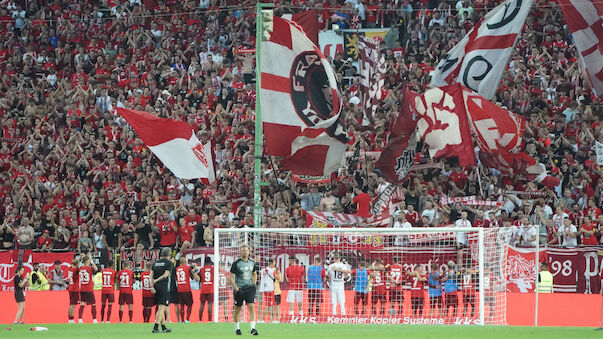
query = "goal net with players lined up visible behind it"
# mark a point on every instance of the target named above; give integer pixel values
(442, 275)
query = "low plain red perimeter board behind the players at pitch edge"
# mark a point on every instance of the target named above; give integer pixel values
(558, 309)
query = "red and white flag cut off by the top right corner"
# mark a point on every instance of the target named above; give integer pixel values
(585, 20)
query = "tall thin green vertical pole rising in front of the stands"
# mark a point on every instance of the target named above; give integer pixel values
(259, 135)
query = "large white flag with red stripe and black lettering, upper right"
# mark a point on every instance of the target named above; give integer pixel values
(479, 59)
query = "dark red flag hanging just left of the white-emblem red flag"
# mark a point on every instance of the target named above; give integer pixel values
(398, 155)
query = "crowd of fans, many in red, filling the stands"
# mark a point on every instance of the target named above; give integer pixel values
(75, 176)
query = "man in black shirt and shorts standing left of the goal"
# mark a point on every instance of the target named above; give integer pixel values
(162, 269)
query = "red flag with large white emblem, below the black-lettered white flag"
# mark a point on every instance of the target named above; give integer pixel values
(443, 124)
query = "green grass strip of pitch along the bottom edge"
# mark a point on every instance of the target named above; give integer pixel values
(290, 331)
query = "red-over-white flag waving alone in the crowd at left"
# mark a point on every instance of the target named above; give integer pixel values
(174, 143)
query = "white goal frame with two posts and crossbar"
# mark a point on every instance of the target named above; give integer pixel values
(310, 231)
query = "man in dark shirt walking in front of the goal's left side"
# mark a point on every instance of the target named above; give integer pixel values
(243, 279)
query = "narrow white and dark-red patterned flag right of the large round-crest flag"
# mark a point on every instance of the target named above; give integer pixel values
(372, 77)
